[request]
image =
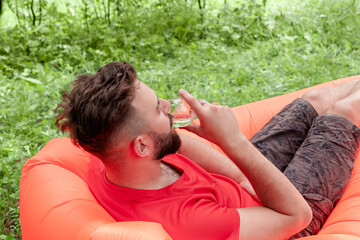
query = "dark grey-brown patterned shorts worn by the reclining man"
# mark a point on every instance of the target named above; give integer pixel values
(316, 153)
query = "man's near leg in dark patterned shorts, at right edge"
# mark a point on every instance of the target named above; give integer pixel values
(321, 168)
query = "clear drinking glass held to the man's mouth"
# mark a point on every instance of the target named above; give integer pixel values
(182, 114)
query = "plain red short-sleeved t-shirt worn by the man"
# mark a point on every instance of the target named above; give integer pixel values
(198, 206)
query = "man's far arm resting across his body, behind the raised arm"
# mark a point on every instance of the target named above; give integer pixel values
(213, 161)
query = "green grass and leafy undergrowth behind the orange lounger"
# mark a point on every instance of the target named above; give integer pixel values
(233, 55)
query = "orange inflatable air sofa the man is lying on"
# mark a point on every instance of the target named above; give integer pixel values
(56, 203)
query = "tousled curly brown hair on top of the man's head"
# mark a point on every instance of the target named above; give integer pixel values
(98, 105)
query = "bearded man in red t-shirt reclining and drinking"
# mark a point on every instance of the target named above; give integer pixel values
(145, 172)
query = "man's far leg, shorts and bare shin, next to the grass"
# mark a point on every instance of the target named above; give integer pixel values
(279, 139)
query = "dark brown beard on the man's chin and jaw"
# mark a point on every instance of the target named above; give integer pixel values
(165, 144)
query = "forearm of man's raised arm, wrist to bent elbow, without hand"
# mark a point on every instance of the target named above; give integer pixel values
(272, 187)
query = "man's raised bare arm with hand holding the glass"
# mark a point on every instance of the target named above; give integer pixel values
(284, 211)
